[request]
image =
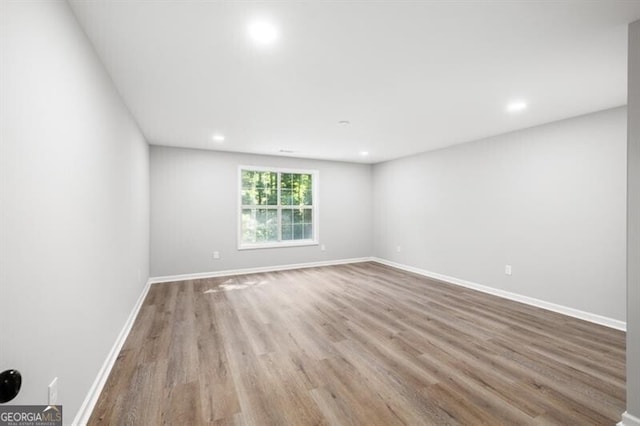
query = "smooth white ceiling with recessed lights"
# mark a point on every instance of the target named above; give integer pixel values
(408, 76)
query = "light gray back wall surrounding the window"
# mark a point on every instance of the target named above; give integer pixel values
(194, 212)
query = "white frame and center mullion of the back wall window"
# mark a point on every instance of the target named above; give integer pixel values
(315, 209)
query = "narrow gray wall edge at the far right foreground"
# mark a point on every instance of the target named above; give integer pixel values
(633, 229)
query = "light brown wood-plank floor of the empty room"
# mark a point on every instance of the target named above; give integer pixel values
(358, 344)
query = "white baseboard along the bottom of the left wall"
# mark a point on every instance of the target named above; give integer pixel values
(83, 414)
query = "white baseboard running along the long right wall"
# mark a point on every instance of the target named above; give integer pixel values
(576, 313)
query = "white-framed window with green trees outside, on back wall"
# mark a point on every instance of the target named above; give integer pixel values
(278, 207)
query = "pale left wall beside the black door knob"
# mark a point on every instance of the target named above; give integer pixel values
(74, 205)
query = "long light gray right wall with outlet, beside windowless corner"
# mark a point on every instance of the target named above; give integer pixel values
(549, 200)
